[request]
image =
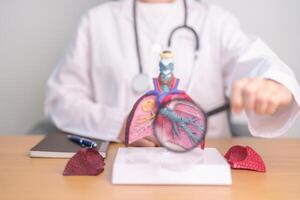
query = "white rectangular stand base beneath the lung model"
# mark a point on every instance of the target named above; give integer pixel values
(160, 167)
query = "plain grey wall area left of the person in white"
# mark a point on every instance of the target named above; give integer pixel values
(33, 36)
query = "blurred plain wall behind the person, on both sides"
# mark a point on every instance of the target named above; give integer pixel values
(35, 33)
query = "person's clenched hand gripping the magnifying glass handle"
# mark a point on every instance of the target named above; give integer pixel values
(263, 96)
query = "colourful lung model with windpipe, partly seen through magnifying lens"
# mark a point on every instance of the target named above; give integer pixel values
(167, 113)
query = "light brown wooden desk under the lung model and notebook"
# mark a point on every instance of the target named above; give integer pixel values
(24, 178)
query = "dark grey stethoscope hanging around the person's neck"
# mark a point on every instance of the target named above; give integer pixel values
(140, 82)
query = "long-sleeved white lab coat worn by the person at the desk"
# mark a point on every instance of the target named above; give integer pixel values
(90, 92)
